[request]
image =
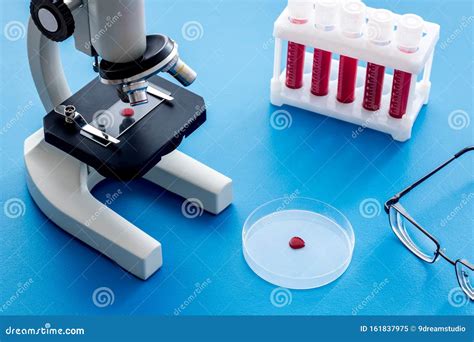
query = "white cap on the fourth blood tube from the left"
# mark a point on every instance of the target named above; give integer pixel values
(380, 27)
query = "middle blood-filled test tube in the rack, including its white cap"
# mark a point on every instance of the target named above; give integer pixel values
(352, 22)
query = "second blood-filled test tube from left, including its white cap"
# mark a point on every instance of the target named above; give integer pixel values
(325, 19)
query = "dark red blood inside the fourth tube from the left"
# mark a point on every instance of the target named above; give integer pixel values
(373, 86)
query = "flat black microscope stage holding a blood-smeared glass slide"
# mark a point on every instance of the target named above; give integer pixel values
(146, 132)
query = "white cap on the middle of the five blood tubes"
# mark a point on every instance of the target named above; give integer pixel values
(352, 19)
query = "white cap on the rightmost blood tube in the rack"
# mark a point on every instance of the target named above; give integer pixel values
(409, 32)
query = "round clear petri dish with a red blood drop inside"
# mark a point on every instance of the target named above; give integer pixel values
(297, 243)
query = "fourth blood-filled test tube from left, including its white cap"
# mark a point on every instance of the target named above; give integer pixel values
(379, 32)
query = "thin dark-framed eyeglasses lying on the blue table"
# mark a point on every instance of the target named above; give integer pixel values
(421, 243)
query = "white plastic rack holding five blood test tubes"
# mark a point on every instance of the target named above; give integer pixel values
(364, 50)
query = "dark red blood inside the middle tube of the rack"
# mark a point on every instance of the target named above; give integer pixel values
(347, 79)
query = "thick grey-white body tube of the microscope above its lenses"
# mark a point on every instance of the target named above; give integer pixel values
(118, 29)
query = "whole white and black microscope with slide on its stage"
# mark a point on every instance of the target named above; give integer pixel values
(124, 124)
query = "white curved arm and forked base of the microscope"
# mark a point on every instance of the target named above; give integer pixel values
(61, 185)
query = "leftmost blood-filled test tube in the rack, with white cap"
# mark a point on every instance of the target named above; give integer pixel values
(299, 11)
